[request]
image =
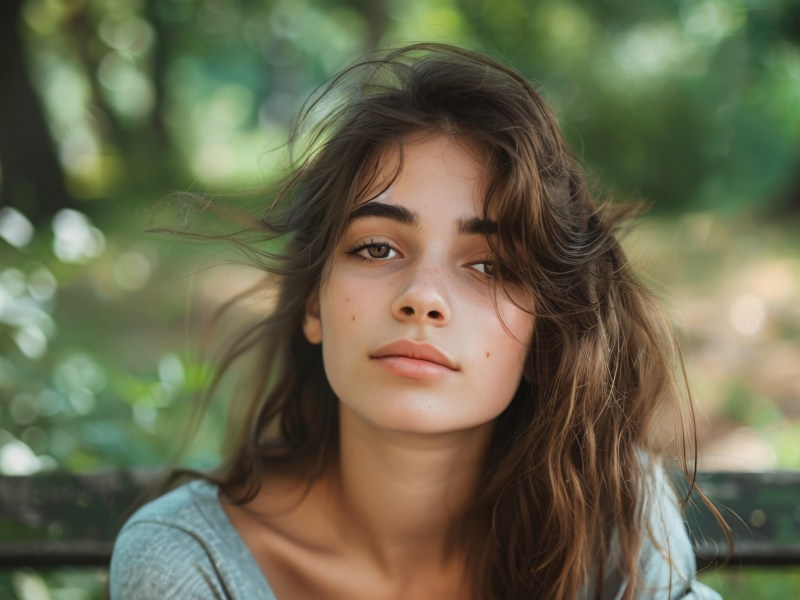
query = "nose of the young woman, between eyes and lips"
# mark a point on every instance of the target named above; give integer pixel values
(424, 298)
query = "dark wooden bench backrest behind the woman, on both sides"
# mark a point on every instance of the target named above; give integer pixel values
(60, 519)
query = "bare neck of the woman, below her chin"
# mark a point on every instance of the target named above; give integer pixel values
(400, 495)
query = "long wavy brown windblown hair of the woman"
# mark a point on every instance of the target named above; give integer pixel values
(564, 473)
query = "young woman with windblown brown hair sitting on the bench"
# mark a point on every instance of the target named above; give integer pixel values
(458, 385)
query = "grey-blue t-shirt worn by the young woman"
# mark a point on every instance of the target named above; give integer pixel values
(182, 545)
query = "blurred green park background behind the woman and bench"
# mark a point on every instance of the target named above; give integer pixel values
(106, 106)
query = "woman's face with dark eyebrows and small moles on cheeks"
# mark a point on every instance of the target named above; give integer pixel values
(411, 338)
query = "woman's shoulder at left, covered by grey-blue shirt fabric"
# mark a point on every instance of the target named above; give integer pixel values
(182, 544)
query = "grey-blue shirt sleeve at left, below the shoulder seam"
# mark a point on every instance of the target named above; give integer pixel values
(154, 561)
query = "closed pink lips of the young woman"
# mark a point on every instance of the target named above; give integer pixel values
(414, 360)
